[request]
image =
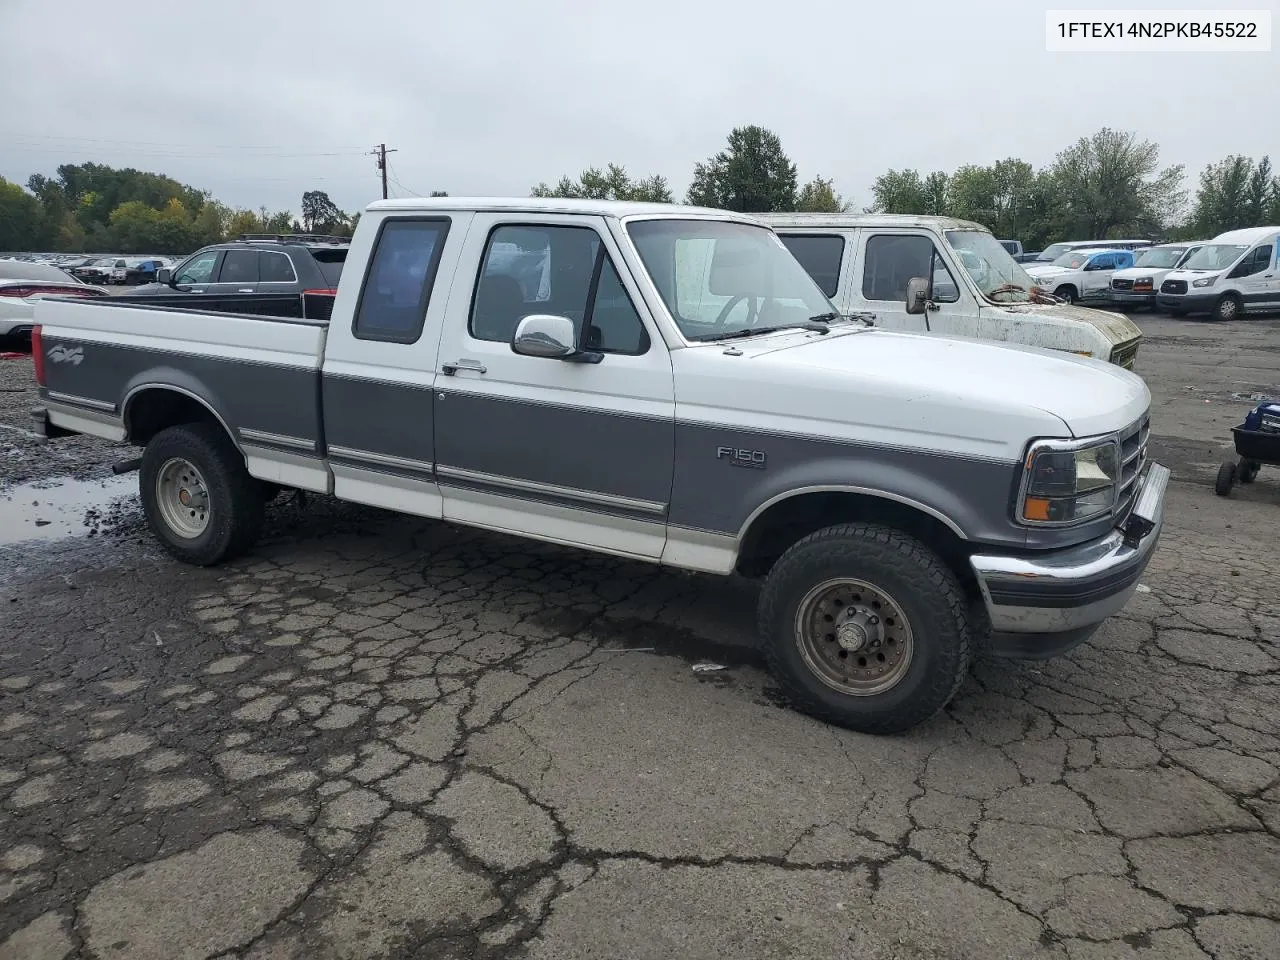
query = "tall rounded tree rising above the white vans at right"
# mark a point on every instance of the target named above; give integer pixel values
(1114, 182)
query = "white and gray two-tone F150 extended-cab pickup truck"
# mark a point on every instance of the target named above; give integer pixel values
(659, 383)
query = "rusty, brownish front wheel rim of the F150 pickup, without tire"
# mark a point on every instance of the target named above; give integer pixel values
(854, 637)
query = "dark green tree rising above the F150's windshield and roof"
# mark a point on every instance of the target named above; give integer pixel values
(752, 175)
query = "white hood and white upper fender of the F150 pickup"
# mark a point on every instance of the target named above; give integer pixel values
(915, 390)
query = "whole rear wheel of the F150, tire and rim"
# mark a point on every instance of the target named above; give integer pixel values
(199, 499)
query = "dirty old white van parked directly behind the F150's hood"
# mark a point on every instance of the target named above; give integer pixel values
(865, 263)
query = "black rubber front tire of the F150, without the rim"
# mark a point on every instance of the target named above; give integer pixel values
(904, 570)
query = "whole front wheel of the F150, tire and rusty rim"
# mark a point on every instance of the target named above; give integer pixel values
(866, 628)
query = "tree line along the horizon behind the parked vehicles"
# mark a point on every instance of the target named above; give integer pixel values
(1109, 185)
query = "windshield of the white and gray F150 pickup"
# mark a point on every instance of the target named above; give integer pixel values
(720, 278)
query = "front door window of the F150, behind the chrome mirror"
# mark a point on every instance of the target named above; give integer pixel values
(560, 271)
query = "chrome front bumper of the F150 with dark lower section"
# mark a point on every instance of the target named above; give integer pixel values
(1045, 605)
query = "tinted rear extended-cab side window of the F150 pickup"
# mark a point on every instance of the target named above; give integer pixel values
(399, 286)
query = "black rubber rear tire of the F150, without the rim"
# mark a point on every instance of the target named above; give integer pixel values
(235, 499)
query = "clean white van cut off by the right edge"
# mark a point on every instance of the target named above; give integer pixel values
(1235, 273)
